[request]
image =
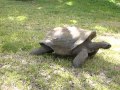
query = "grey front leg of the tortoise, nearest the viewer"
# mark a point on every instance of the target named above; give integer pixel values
(80, 58)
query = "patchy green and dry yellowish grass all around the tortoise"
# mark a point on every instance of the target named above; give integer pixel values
(24, 23)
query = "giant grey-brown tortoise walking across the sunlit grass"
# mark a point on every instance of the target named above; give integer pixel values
(71, 40)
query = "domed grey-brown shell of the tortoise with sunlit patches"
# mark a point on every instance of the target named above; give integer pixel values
(64, 39)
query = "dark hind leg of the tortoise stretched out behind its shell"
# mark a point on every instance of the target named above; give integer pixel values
(41, 50)
